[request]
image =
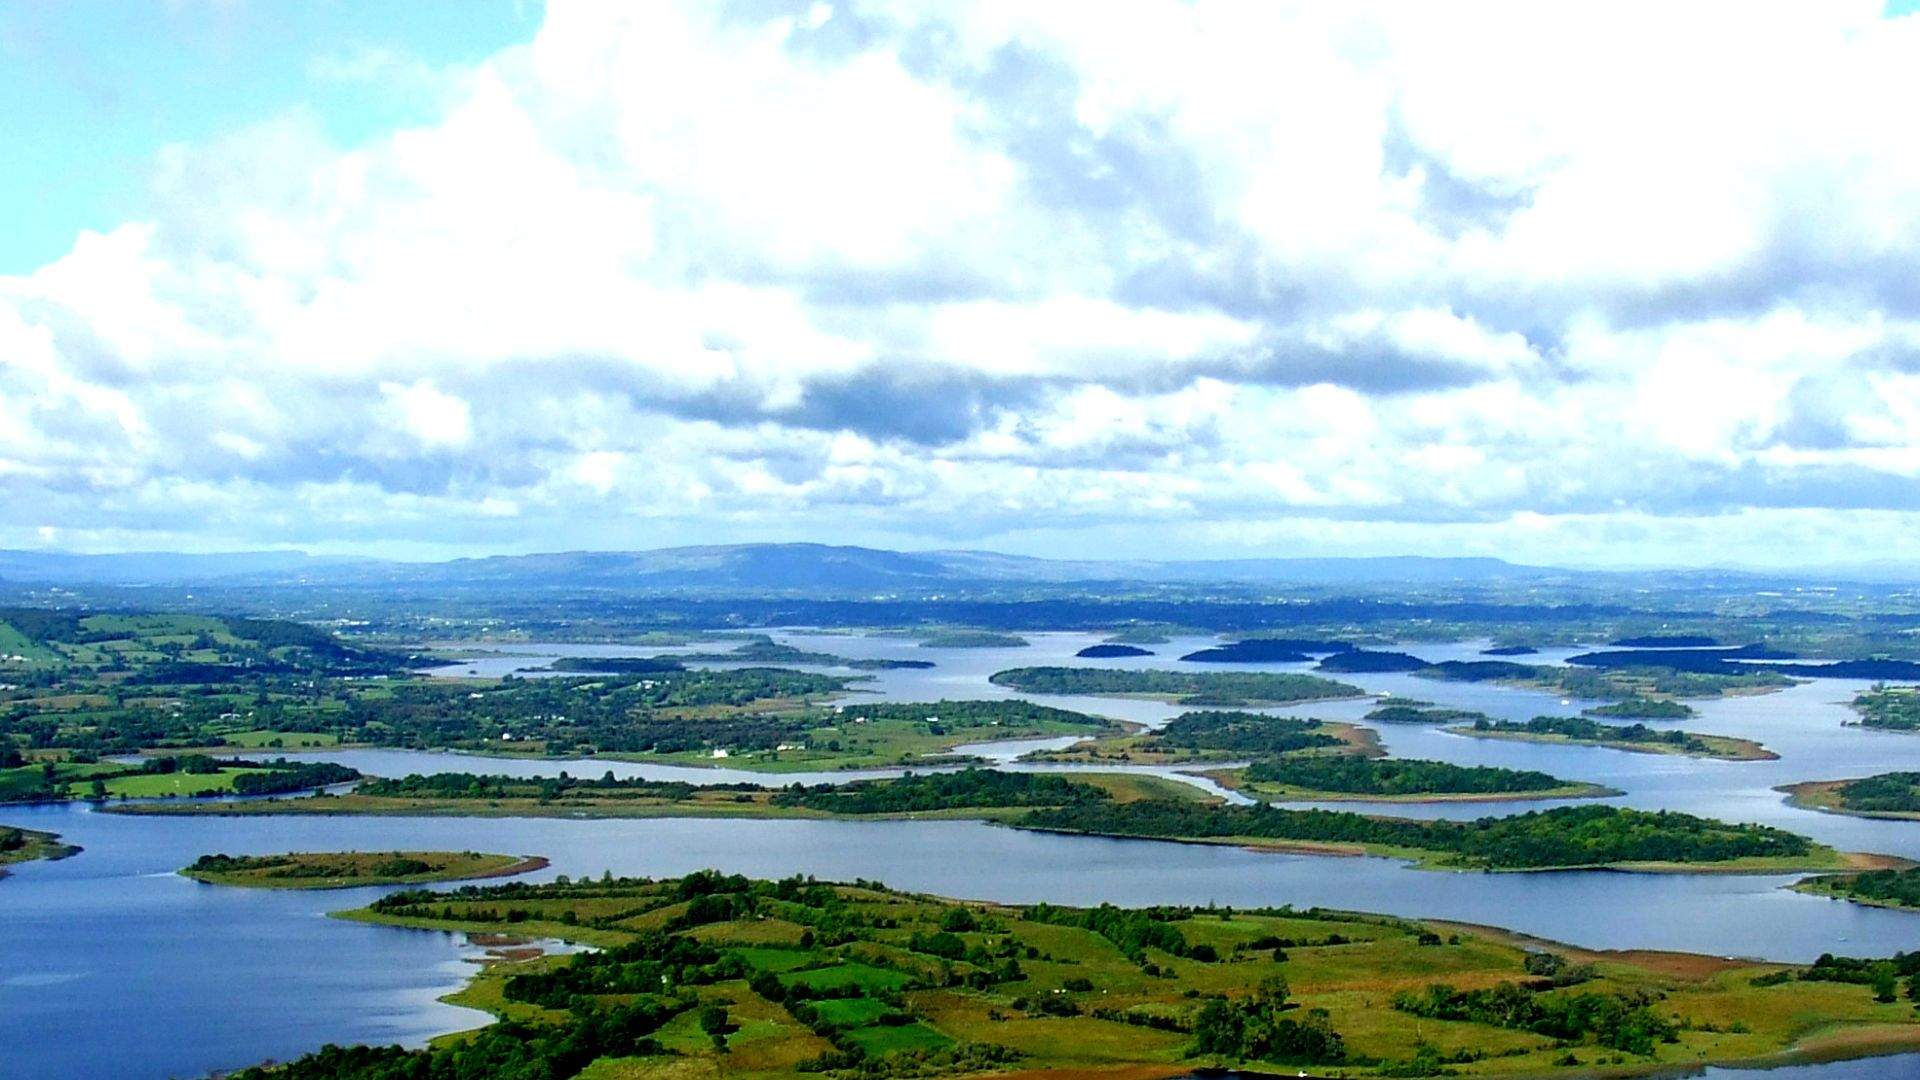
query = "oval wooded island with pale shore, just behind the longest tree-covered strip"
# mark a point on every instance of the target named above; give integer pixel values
(1397, 779)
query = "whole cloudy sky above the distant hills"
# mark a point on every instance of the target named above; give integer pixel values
(1583, 285)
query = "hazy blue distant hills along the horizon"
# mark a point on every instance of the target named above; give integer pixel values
(825, 570)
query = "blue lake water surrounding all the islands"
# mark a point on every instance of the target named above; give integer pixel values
(112, 966)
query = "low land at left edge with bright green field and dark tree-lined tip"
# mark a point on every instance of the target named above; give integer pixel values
(166, 777)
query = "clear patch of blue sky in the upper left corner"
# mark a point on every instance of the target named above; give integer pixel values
(95, 89)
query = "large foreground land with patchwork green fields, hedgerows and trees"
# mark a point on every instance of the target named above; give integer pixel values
(717, 975)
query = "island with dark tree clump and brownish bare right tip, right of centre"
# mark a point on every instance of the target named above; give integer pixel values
(1218, 737)
